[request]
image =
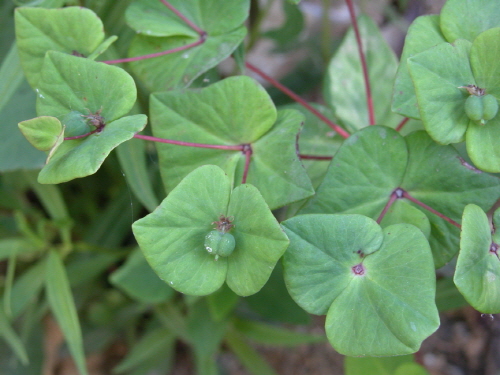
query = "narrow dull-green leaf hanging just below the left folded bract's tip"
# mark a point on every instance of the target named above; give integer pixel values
(132, 157)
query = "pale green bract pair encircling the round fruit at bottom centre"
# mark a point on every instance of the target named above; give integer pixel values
(173, 236)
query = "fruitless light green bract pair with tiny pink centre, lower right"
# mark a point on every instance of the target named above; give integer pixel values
(380, 288)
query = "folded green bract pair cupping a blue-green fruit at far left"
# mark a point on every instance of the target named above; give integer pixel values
(77, 91)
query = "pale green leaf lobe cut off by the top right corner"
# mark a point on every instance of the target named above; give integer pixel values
(465, 19)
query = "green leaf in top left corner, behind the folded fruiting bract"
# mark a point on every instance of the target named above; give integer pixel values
(70, 30)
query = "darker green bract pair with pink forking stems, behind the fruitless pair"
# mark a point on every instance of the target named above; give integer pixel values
(376, 161)
